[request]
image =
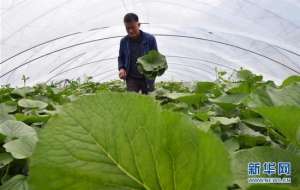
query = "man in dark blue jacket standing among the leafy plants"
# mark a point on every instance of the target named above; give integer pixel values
(134, 45)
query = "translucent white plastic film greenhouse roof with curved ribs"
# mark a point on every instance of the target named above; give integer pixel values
(49, 40)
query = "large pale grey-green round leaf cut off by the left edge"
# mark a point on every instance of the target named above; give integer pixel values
(20, 138)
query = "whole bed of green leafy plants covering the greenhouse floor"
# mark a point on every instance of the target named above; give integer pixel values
(201, 135)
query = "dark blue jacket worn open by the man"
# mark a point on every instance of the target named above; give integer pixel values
(148, 43)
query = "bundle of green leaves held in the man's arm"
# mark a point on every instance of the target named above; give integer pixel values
(152, 64)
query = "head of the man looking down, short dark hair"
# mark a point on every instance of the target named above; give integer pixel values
(132, 25)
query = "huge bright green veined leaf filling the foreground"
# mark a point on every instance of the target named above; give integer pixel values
(126, 141)
